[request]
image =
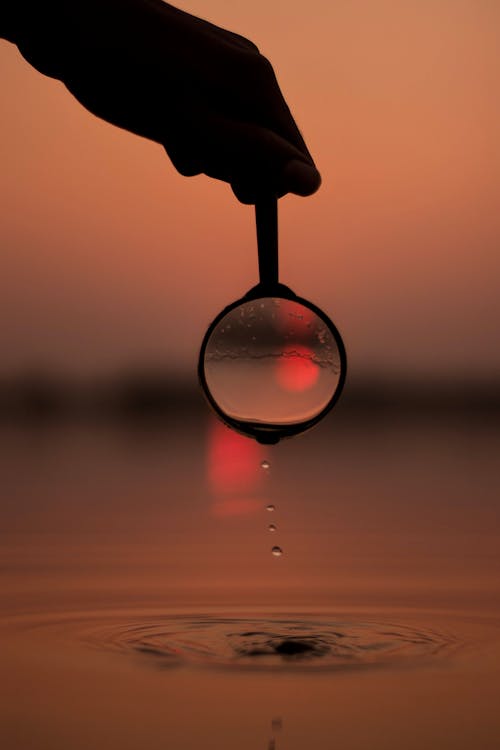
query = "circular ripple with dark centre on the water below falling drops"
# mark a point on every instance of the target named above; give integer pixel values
(271, 643)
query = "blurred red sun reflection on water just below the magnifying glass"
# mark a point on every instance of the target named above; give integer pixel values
(233, 471)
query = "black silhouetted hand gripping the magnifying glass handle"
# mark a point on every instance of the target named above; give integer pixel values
(206, 94)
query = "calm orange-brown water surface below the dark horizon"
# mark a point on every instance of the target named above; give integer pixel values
(142, 608)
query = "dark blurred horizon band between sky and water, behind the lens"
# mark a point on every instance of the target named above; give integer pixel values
(153, 395)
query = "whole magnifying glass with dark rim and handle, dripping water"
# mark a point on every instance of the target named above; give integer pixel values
(271, 364)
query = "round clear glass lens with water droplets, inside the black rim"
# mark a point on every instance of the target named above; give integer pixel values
(272, 361)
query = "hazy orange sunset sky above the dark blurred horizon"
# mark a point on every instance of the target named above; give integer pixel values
(111, 259)
